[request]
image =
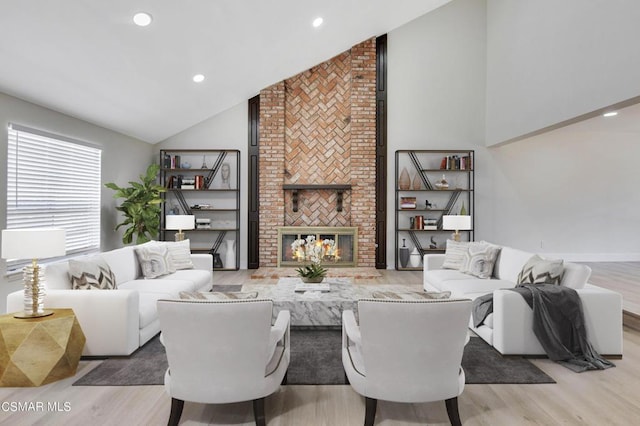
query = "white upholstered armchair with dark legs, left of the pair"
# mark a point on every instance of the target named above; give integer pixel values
(222, 352)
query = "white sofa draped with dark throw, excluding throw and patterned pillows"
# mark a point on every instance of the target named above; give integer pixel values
(509, 329)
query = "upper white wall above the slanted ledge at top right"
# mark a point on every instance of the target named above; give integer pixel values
(549, 61)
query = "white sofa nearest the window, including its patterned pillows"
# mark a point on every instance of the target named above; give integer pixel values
(116, 321)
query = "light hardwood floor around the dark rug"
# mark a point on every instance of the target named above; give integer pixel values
(607, 397)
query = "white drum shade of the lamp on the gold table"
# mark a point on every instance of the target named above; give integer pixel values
(35, 243)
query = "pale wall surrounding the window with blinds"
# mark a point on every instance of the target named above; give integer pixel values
(123, 159)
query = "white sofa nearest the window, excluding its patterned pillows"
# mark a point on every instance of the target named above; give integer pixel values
(118, 321)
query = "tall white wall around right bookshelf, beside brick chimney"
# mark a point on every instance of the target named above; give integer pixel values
(436, 80)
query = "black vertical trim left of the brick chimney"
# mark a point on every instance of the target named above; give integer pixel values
(253, 223)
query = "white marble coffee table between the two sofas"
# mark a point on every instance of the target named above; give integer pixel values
(317, 308)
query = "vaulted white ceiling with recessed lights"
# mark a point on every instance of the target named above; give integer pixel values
(87, 59)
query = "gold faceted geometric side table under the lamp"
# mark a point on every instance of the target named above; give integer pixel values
(37, 351)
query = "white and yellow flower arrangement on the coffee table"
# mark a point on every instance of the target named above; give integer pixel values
(314, 251)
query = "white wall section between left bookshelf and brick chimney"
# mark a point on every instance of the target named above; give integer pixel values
(227, 130)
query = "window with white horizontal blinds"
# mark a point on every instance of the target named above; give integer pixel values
(53, 182)
